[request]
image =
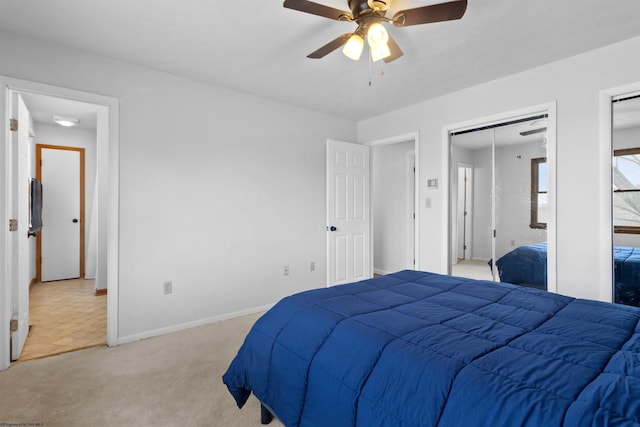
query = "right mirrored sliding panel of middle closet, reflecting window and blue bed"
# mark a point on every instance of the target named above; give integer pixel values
(521, 202)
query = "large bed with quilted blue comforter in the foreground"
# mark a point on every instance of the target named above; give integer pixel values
(422, 349)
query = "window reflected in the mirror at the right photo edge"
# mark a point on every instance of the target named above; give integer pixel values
(626, 191)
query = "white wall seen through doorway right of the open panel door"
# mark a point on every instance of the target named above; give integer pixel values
(390, 201)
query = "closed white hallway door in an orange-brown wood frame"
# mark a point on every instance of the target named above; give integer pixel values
(60, 236)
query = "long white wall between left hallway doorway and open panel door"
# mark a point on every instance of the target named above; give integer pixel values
(218, 189)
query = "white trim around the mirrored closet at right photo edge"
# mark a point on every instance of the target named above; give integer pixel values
(605, 292)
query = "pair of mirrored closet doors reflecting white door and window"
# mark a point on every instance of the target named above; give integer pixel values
(499, 201)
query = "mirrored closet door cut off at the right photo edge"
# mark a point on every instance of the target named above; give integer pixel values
(626, 199)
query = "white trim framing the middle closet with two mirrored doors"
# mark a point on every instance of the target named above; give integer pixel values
(551, 109)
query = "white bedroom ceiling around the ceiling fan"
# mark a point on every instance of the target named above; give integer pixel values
(259, 47)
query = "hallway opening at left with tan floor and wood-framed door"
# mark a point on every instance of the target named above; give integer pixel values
(67, 312)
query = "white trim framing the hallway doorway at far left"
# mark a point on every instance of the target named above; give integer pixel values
(111, 198)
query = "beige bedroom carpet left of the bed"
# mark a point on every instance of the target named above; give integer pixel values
(172, 380)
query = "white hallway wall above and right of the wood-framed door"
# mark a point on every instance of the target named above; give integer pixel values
(51, 134)
